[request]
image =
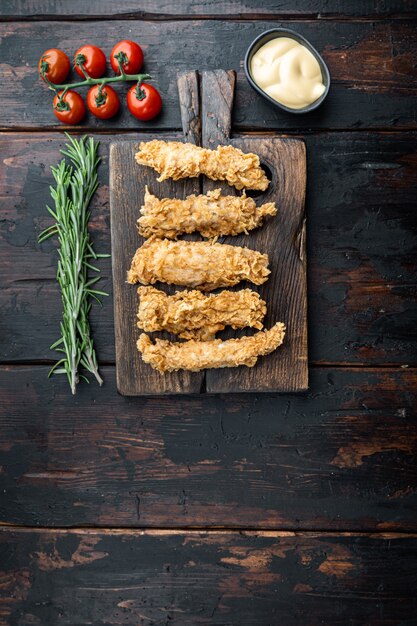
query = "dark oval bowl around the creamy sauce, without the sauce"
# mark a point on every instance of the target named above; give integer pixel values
(286, 32)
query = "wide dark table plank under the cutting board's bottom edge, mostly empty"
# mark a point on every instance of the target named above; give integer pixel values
(340, 457)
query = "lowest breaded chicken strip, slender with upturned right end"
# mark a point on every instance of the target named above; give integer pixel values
(166, 356)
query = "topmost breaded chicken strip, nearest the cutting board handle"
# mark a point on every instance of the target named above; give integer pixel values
(173, 159)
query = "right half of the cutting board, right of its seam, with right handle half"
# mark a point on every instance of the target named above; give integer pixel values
(283, 238)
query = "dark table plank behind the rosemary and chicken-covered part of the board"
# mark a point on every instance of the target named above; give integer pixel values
(361, 195)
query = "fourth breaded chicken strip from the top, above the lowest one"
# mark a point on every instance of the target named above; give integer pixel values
(194, 315)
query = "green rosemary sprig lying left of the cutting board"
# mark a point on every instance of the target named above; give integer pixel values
(75, 184)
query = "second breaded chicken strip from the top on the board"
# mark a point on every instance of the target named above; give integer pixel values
(211, 215)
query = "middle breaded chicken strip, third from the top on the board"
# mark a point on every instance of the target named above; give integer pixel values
(199, 264)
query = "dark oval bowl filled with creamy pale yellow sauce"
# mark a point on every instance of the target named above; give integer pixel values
(285, 68)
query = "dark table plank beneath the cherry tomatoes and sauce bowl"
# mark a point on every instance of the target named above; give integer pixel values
(373, 68)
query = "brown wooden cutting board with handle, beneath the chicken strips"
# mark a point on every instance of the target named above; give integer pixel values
(206, 102)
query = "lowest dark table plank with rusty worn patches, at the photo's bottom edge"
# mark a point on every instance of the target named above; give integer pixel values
(191, 578)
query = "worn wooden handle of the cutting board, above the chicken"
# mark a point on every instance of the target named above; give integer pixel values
(206, 102)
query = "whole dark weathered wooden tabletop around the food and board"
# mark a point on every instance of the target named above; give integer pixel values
(228, 510)
